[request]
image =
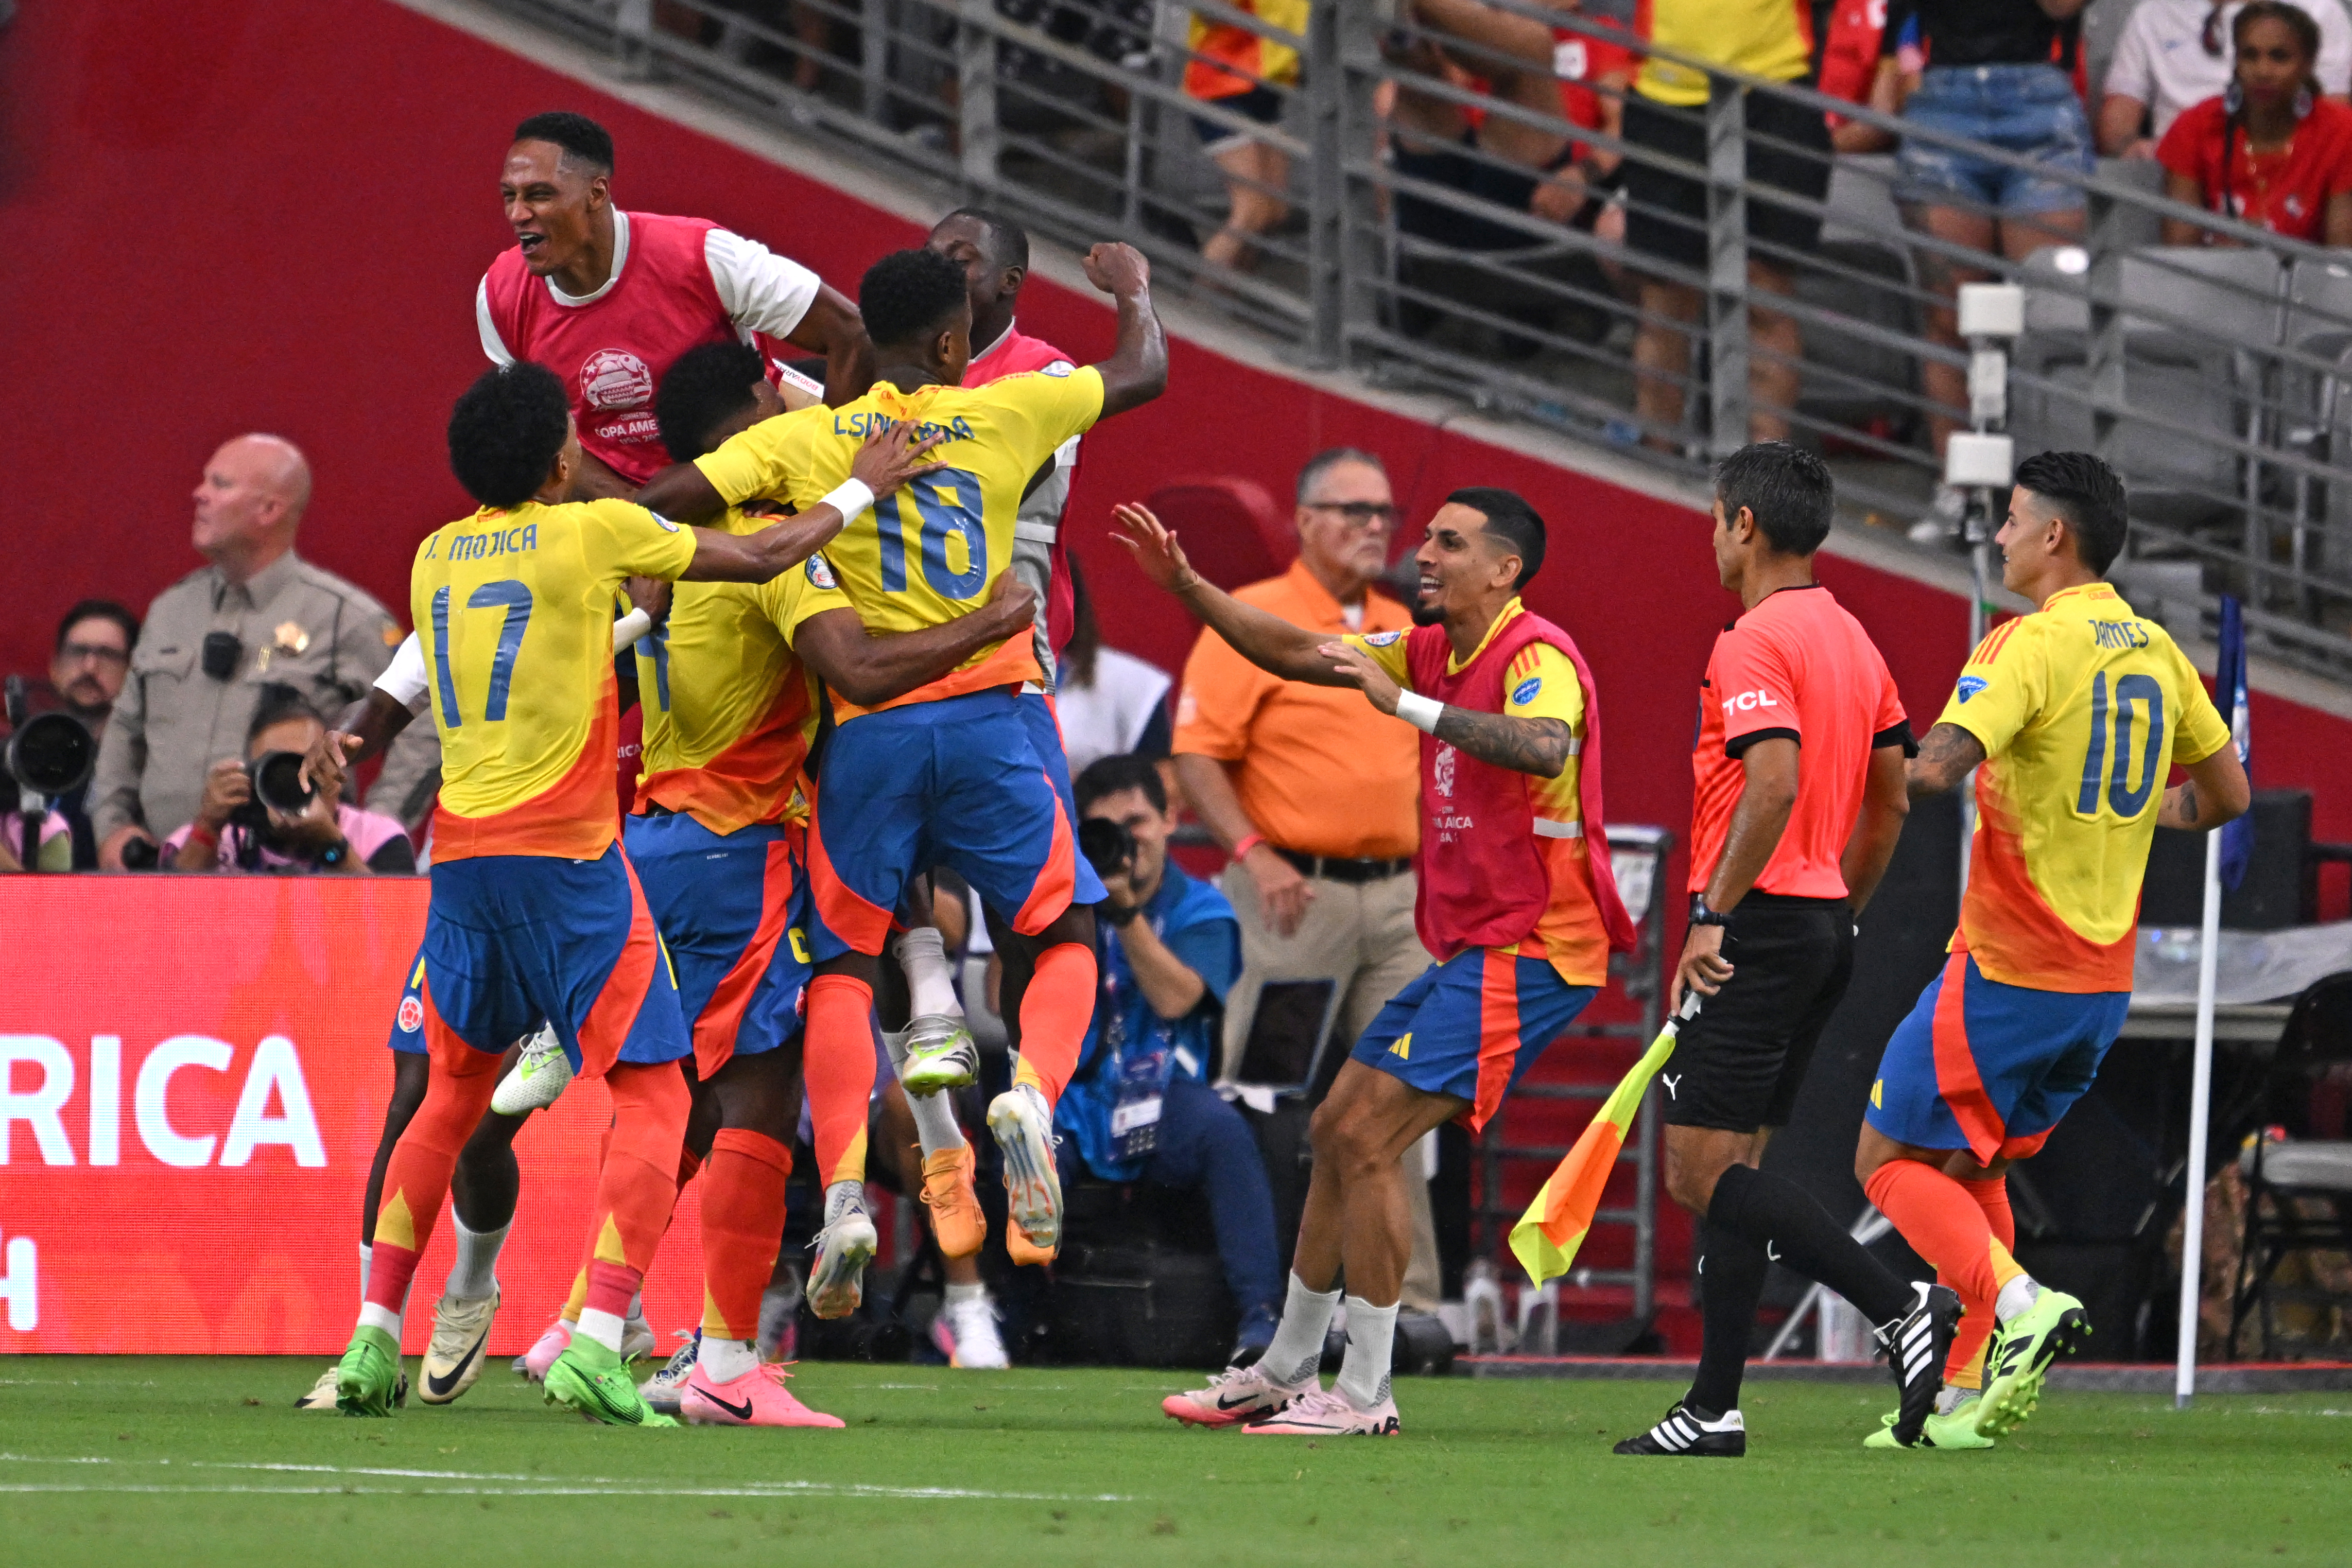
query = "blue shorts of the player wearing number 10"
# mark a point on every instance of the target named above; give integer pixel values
(1986, 1066)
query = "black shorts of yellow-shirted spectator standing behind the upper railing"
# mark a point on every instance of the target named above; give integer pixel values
(1666, 213)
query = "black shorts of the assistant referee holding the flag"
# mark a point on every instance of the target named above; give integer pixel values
(1739, 1064)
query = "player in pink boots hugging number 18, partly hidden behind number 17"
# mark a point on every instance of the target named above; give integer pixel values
(719, 840)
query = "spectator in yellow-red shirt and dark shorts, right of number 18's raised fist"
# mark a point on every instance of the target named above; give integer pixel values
(1241, 72)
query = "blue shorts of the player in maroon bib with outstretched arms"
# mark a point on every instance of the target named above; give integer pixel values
(1471, 1026)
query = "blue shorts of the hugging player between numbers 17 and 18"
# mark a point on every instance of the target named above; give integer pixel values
(733, 913)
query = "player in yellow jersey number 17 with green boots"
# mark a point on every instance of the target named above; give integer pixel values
(535, 909)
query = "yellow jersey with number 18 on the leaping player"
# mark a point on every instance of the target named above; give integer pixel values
(937, 547)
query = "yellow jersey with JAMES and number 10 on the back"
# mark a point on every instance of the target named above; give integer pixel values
(2083, 711)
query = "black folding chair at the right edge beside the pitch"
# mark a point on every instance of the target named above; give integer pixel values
(2299, 1193)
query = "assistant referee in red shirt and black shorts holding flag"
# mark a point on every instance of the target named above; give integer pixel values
(1798, 808)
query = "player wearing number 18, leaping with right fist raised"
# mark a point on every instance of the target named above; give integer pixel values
(947, 775)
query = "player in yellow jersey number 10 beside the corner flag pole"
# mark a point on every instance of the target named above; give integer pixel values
(2073, 718)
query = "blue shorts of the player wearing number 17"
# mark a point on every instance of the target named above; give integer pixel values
(516, 942)
